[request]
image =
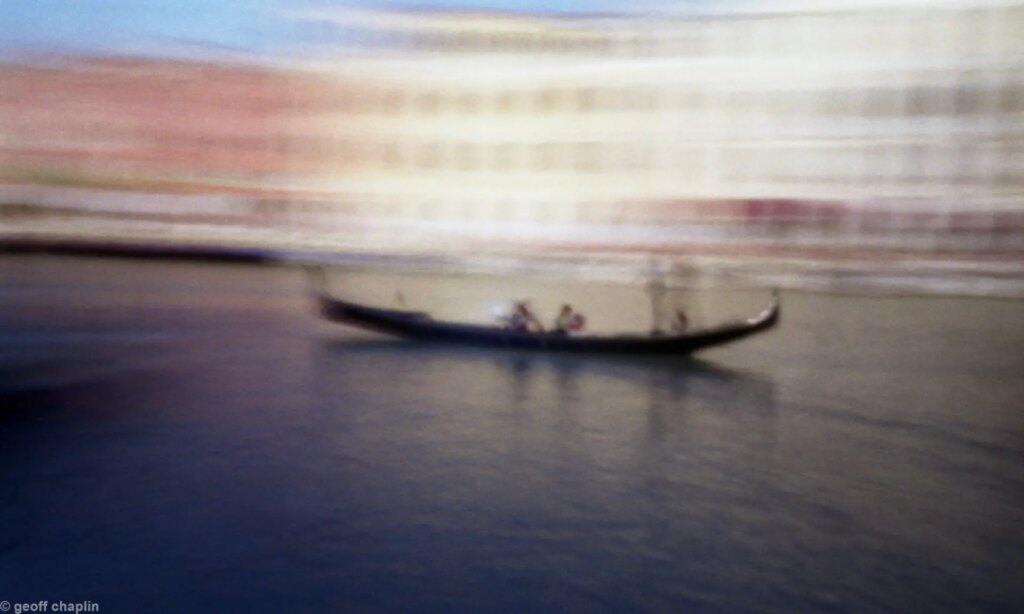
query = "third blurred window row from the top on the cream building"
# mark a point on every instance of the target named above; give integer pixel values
(913, 163)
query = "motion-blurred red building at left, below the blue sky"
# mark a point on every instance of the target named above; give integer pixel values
(126, 117)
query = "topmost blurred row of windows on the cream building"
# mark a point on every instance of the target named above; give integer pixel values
(953, 32)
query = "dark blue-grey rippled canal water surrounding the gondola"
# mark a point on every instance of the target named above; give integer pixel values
(179, 437)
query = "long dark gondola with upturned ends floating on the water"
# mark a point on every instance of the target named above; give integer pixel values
(420, 326)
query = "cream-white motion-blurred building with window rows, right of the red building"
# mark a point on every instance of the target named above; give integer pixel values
(908, 121)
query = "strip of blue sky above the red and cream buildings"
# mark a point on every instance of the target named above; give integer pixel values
(261, 27)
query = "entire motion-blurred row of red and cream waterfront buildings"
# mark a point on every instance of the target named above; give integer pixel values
(864, 134)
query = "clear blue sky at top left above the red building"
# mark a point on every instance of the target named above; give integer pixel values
(248, 26)
